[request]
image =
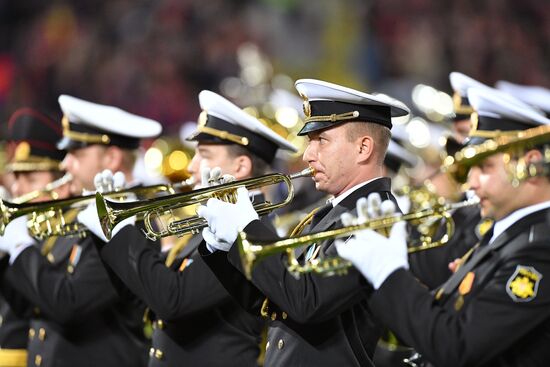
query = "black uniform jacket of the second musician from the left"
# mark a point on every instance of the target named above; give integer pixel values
(78, 318)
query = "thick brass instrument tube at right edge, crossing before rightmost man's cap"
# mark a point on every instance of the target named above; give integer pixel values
(512, 145)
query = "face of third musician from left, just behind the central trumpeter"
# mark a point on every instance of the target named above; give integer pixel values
(211, 155)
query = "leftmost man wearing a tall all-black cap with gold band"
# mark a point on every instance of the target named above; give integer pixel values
(34, 161)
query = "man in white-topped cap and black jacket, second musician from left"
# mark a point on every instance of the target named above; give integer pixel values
(78, 317)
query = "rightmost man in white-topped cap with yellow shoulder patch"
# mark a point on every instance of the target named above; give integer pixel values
(495, 309)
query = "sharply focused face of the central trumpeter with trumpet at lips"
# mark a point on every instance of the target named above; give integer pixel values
(333, 157)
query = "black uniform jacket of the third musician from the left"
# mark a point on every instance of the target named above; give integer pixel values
(197, 322)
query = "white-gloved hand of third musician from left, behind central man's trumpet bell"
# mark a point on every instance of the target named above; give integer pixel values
(88, 217)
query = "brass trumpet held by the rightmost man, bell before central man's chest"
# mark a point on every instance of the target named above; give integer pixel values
(253, 251)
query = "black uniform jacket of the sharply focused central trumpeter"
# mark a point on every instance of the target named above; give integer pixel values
(314, 320)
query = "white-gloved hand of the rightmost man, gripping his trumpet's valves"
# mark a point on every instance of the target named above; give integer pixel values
(374, 255)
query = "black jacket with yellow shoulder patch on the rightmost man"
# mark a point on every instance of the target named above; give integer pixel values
(499, 316)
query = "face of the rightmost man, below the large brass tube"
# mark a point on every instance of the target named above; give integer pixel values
(491, 184)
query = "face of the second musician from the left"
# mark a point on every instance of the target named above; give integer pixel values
(84, 164)
